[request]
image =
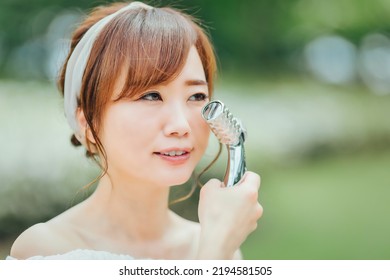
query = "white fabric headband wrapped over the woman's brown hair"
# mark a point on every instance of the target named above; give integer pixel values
(78, 61)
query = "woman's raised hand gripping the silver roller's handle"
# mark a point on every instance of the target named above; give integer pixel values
(227, 216)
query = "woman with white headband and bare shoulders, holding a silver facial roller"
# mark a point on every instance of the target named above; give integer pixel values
(134, 84)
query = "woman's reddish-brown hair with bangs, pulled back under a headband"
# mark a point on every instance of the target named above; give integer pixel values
(150, 44)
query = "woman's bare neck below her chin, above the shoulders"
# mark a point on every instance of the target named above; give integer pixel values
(138, 212)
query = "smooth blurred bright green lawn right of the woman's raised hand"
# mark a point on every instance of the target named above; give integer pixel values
(333, 208)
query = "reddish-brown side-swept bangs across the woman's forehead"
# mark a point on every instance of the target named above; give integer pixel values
(160, 40)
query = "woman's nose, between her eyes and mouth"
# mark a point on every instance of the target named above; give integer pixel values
(177, 122)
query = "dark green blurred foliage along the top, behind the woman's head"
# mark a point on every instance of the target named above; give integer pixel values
(249, 35)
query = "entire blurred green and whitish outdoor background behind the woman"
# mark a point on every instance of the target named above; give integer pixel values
(309, 79)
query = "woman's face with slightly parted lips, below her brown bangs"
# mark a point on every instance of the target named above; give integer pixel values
(161, 136)
